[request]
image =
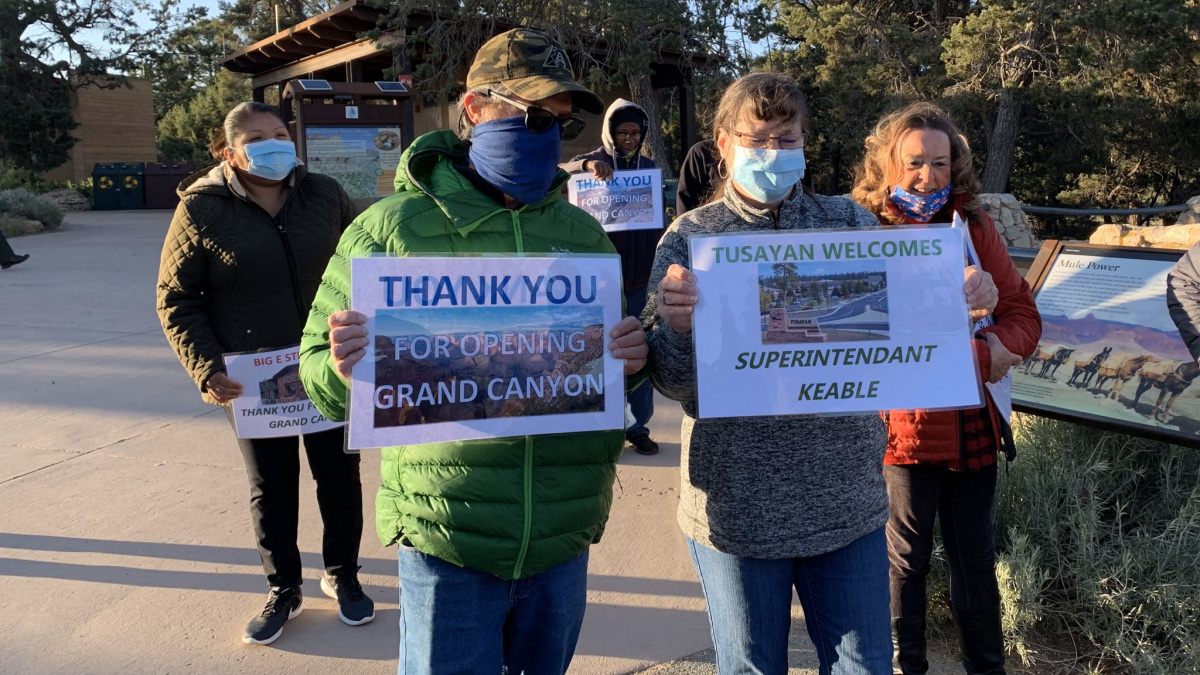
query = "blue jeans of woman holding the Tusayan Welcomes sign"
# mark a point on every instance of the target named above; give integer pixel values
(844, 595)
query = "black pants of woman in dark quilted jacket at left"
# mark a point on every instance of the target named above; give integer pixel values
(274, 470)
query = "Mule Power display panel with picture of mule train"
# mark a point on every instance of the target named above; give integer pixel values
(1109, 353)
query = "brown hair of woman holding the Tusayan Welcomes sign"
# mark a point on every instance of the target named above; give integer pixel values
(765, 97)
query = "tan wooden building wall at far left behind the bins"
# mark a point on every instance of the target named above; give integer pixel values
(116, 126)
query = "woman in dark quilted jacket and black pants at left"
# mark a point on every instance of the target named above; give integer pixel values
(241, 266)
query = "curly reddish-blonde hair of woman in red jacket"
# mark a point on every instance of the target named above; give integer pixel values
(878, 175)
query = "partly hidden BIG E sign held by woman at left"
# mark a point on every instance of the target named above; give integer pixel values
(273, 403)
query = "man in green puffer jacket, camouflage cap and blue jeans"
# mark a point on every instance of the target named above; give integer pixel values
(493, 535)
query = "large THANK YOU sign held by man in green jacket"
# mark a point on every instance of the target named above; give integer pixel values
(477, 348)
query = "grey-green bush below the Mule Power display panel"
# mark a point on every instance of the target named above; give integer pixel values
(1100, 552)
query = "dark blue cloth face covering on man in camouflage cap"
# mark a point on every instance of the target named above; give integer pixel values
(519, 163)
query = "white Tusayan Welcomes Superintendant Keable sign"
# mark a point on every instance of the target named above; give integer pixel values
(832, 322)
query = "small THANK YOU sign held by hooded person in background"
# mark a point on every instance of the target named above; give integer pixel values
(631, 200)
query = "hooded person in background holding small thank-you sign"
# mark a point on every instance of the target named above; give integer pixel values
(625, 129)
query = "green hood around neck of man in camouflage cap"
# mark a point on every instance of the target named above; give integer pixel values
(428, 168)
